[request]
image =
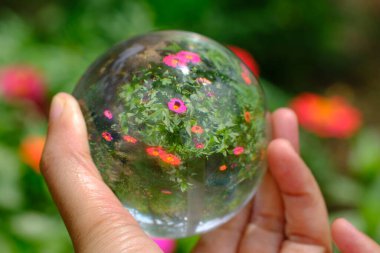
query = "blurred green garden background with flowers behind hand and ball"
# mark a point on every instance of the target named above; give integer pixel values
(322, 58)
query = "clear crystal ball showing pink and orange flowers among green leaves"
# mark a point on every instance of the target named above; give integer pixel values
(177, 128)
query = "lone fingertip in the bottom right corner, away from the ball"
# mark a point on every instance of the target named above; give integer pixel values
(350, 240)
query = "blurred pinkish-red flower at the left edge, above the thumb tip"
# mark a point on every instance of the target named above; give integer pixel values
(22, 82)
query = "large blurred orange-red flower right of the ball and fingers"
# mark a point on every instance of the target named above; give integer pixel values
(326, 117)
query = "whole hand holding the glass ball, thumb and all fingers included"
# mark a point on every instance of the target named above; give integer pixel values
(288, 213)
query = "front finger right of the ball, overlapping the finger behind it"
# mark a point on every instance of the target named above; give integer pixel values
(305, 211)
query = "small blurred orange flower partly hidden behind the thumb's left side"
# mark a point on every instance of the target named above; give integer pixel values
(31, 151)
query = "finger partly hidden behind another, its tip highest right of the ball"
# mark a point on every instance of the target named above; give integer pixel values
(264, 233)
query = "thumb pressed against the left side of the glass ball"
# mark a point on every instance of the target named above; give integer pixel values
(94, 217)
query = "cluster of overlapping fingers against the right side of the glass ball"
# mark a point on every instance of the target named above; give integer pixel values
(288, 213)
